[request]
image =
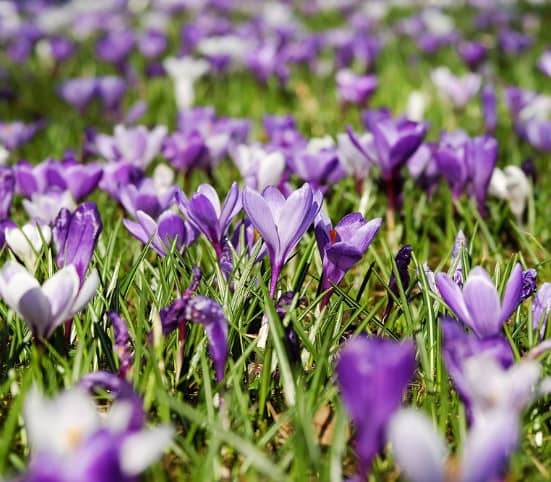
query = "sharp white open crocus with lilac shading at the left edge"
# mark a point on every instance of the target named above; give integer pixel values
(45, 307)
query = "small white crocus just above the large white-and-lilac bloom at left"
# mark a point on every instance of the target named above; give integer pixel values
(27, 242)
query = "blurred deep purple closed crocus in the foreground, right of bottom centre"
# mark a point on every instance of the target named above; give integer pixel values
(373, 374)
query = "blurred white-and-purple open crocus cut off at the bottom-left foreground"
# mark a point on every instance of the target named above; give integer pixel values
(70, 441)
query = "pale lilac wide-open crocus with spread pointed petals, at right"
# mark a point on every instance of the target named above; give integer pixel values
(477, 305)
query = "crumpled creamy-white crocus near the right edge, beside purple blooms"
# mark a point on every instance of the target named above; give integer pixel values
(511, 184)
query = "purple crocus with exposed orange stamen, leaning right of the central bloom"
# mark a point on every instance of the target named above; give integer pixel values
(343, 246)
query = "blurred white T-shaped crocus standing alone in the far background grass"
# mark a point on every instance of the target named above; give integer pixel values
(184, 72)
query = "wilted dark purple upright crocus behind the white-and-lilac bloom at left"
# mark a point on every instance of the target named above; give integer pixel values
(76, 235)
